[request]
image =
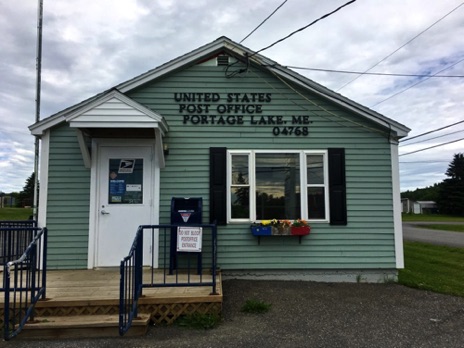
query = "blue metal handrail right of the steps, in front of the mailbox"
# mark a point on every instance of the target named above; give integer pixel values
(131, 281)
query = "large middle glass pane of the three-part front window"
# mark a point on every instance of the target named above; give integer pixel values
(277, 186)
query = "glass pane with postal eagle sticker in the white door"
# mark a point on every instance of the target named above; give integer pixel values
(125, 181)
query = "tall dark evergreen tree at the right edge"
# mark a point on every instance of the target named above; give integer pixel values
(451, 195)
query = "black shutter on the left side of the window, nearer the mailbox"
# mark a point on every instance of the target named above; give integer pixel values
(218, 185)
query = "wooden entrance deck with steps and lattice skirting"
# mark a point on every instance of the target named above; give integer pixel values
(86, 302)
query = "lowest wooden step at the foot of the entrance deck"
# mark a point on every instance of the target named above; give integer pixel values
(82, 326)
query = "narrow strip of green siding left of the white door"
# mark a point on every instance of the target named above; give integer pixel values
(68, 201)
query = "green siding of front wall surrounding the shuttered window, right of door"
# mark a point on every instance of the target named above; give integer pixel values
(367, 242)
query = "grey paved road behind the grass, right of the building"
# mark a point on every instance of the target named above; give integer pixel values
(413, 232)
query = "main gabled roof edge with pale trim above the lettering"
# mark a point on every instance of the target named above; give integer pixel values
(225, 45)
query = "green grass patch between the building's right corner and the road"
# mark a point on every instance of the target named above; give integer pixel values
(432, 267)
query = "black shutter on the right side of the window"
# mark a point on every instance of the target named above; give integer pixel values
(337, 187)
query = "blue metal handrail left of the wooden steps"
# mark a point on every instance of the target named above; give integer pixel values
(24, 282)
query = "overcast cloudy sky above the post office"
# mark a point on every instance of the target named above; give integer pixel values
(92, 45)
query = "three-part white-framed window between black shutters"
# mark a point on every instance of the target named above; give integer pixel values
(267, 185)
